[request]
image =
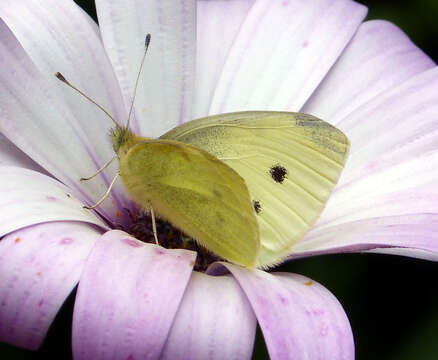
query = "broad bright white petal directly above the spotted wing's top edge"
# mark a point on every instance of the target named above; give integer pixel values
(283, 51)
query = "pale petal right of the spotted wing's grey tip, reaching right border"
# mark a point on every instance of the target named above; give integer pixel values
(404, 117)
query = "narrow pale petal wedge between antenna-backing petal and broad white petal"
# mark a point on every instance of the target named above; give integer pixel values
(218, 24)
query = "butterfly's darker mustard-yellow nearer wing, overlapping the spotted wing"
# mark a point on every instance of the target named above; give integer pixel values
(196, 193)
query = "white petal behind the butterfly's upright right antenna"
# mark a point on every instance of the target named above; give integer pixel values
(165, 91)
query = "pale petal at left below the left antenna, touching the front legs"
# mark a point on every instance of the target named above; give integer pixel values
(36, 119)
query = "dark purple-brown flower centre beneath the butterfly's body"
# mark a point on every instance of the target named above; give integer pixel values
(169, 237)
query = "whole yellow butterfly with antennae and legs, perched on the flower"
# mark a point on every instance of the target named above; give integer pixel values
(247, 185)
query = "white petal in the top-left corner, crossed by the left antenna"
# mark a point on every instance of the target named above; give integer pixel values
(59, 36)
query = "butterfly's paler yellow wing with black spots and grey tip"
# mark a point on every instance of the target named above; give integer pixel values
(290, 162)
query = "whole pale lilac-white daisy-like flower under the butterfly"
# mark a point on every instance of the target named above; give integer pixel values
(138, 300)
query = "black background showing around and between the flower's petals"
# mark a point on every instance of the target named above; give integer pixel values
(391, 301)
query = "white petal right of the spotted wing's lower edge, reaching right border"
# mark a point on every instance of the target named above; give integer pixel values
(407, 188)
